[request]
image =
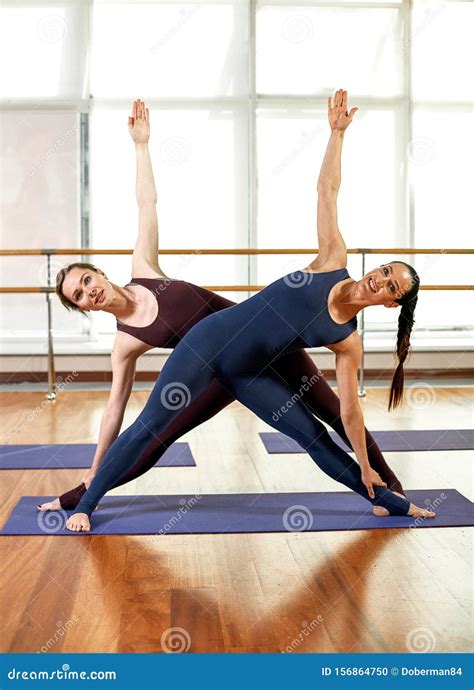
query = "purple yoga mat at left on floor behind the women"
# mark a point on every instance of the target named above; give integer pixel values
(77, 455)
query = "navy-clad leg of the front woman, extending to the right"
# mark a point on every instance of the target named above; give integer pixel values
(269, 397)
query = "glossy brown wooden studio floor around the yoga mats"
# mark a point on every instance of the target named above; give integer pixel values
(361, 591)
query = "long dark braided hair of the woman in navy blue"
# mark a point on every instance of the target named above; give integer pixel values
(405, 325)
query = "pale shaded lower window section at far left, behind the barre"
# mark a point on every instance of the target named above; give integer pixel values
(40, 207)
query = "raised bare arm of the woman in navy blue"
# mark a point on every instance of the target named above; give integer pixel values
(332, 249)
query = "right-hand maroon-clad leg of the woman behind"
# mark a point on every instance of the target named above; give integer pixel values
(306, 380)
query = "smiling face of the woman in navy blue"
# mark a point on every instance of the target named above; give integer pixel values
(385, 284)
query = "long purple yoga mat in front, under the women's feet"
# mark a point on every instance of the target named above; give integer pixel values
(236, 513)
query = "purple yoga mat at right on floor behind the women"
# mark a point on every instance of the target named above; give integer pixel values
(408, 440)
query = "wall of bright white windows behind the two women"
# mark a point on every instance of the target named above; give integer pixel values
(238, 93)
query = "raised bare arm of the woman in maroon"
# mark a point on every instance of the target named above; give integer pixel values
(145, 262)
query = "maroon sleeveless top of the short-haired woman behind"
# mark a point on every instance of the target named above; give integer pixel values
(180, 306)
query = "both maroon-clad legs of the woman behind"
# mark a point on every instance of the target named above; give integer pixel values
(301, 375)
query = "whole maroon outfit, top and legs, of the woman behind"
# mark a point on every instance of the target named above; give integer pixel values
(180, 306)
